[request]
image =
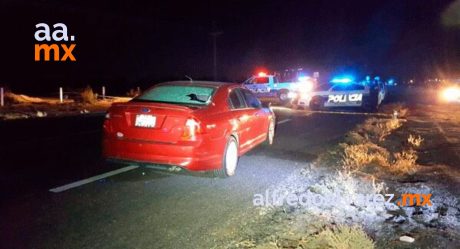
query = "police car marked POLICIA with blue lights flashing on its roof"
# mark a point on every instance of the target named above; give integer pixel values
(344, 93)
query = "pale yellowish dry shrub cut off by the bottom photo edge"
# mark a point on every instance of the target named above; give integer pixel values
(340, 237)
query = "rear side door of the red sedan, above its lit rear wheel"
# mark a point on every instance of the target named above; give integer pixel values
(241, 119)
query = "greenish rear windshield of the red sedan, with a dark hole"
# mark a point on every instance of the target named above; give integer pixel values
(182, 95)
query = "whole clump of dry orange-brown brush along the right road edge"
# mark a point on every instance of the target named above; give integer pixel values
(365, 149)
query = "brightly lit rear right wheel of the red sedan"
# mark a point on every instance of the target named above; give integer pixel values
(229, 159)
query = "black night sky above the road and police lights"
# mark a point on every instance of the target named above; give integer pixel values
(123, 44)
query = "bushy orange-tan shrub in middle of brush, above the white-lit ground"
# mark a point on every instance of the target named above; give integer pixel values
(356, 156)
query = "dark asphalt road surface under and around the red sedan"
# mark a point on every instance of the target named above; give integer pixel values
(142, 208)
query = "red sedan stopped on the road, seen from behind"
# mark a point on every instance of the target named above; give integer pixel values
(197, 126)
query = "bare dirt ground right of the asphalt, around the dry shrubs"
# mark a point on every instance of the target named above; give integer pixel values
(437, 171)
